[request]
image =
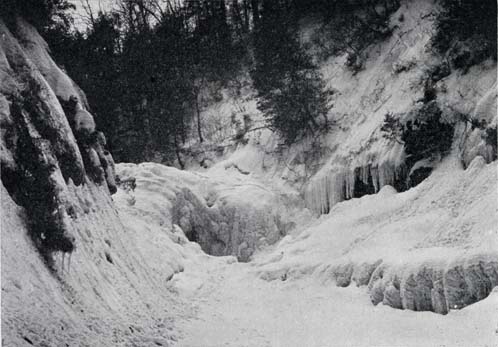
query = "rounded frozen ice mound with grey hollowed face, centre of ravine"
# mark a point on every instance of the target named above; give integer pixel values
(226, 212)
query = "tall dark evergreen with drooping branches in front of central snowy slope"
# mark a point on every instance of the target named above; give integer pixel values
(289, 86)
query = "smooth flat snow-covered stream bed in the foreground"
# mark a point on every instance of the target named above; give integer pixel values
(234, 307)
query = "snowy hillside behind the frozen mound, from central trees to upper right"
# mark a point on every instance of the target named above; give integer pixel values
(395, 72)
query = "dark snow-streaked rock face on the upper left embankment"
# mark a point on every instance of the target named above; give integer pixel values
(45, 146)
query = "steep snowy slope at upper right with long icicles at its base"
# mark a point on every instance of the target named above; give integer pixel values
(363, 99)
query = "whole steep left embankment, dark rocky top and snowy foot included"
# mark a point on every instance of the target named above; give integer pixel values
(72, 273)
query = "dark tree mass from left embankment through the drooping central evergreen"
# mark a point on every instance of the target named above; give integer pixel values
(144, 63)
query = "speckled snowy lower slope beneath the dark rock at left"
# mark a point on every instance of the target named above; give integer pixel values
(109, 293)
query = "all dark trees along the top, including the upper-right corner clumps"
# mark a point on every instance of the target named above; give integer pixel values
(145, 63)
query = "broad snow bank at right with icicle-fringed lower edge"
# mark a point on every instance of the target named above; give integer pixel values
(433, 247)
